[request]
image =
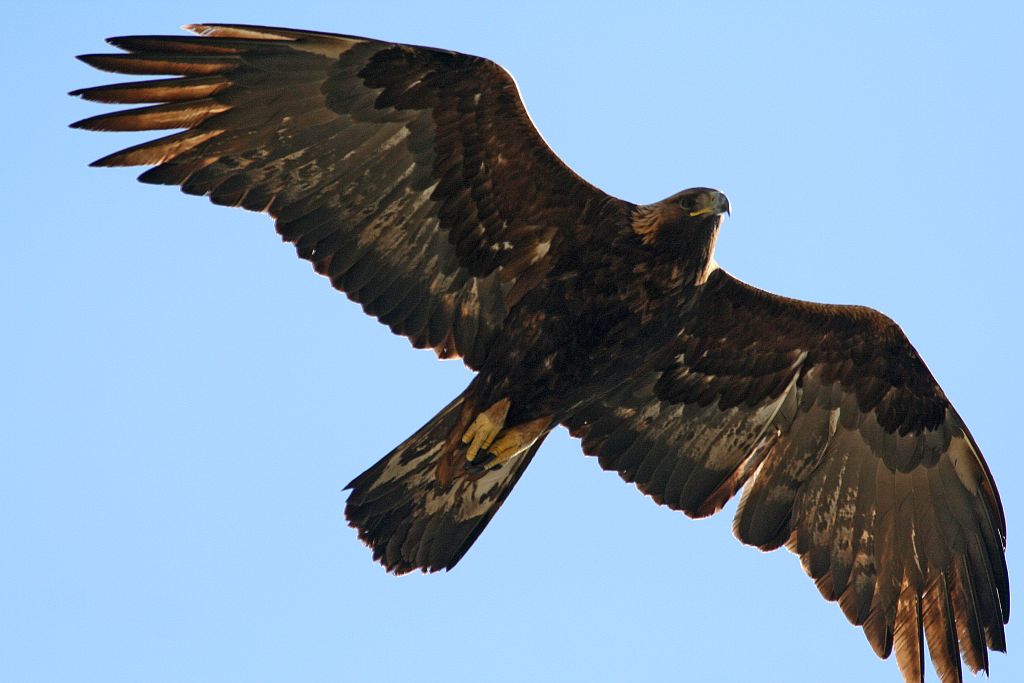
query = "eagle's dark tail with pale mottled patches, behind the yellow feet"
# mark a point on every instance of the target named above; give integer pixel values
(419, 508)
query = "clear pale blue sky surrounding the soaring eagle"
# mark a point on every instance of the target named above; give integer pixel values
(184, 400)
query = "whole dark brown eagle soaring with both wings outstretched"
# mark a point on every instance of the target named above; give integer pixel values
(415, 181)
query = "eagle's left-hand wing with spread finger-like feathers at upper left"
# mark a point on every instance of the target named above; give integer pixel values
(412, 178)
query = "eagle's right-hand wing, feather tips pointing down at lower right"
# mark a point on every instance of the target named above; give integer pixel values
(851, 454)
